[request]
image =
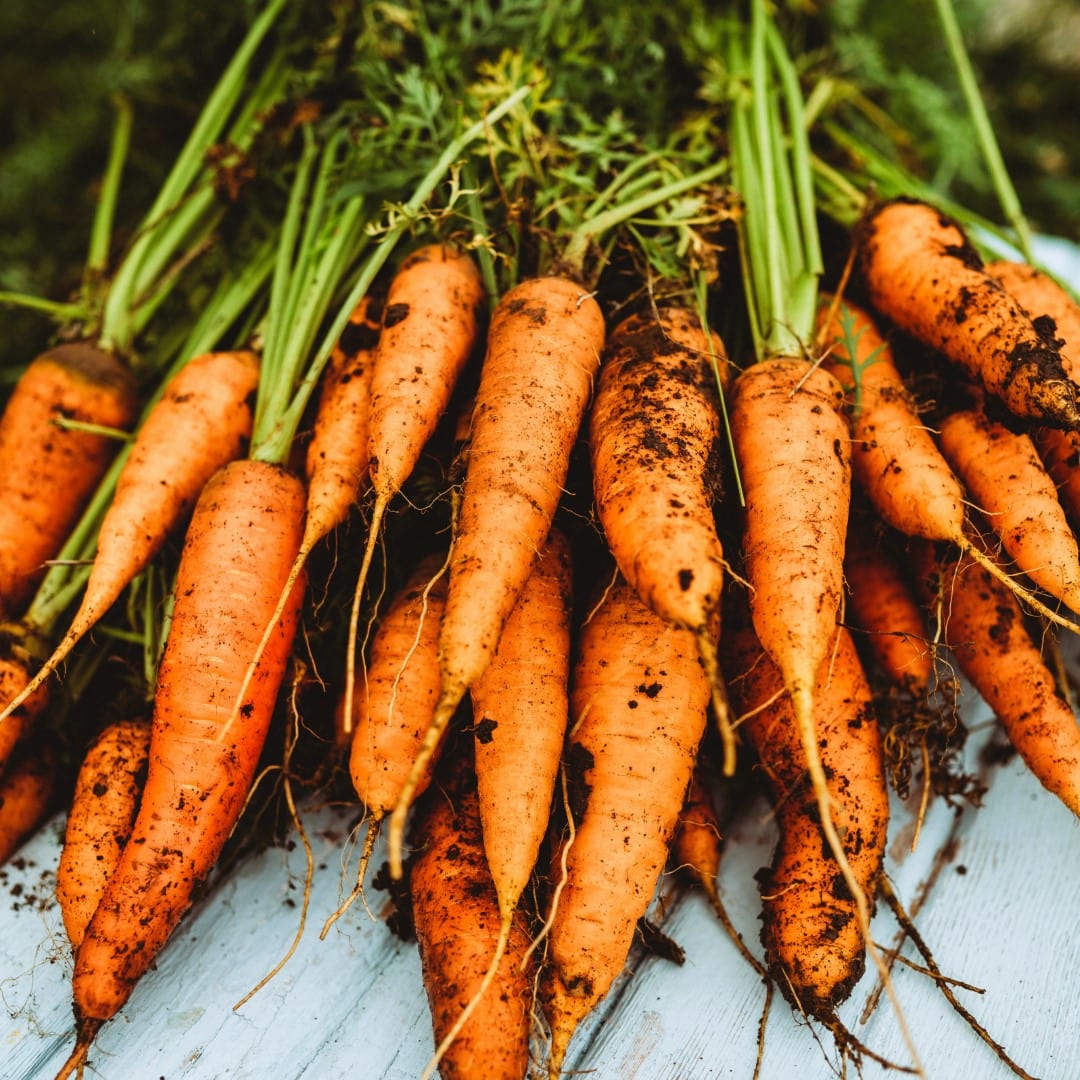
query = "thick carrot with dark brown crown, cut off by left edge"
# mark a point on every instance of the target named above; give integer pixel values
(47, 471)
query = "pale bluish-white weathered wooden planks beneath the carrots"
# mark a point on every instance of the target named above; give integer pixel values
(1002, 915)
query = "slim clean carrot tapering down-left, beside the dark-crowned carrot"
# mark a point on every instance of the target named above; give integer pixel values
(202, 421)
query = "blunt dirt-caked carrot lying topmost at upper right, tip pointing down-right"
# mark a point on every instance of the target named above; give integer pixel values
(922, 273)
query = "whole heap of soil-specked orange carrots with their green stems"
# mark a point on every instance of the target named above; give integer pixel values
(642, 533)
